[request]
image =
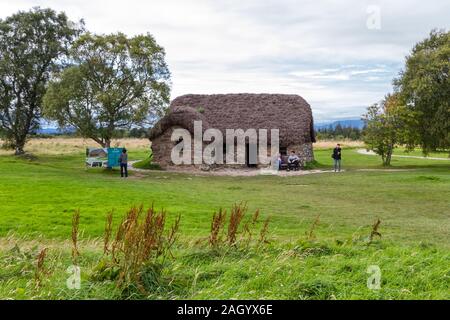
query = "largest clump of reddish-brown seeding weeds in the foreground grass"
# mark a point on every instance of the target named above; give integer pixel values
(141, 241)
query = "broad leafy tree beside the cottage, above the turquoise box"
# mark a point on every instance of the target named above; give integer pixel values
(114, 83)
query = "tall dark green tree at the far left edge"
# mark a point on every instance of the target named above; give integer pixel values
(31, 46)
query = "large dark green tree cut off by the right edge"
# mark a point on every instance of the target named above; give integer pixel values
(425, 87)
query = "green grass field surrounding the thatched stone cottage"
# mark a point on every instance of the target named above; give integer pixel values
(412, 200)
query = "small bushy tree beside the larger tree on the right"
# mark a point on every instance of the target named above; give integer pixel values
(386, 126)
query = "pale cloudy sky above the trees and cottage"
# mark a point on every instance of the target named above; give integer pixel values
(341, 56)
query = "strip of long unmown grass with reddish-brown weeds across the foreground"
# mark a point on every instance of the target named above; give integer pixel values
(137, 258)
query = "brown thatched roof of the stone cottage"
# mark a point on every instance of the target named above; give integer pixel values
(291, 114)
